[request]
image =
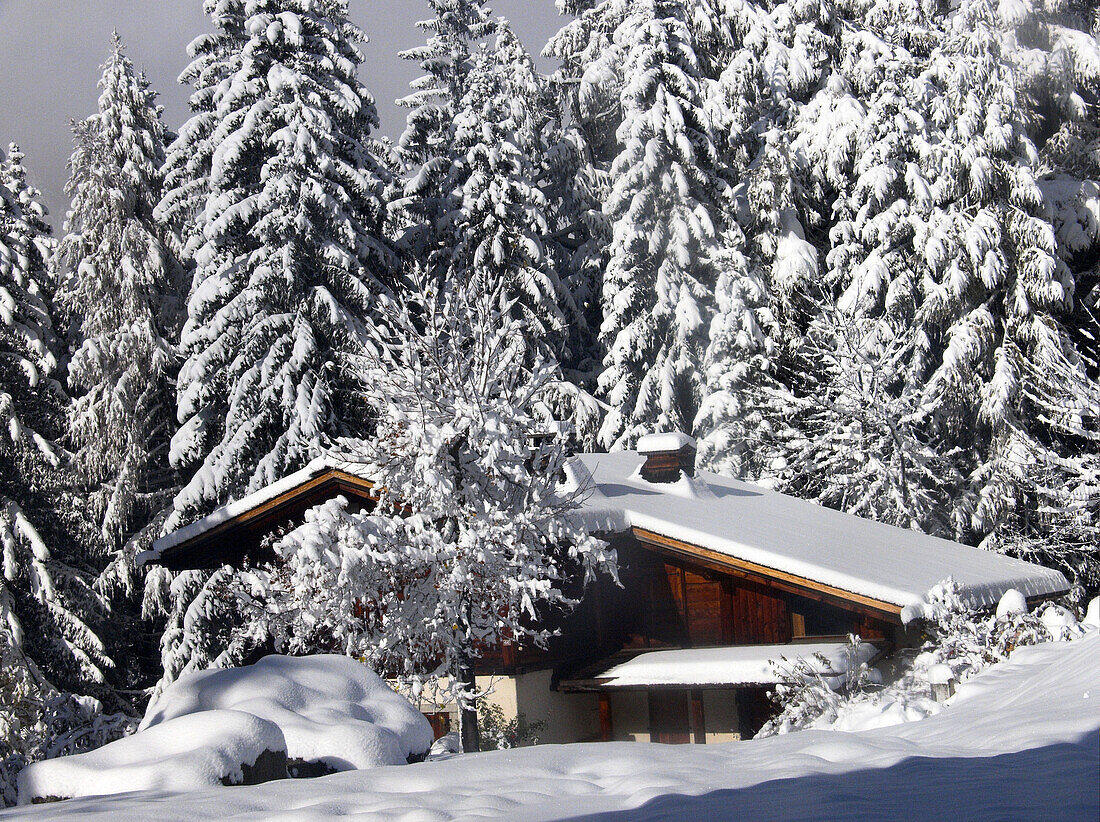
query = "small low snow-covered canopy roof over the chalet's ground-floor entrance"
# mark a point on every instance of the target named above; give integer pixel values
(741, 665)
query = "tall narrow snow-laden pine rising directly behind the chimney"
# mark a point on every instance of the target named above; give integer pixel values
(666, 223)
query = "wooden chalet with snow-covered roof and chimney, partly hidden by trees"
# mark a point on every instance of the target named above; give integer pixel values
(720, 578)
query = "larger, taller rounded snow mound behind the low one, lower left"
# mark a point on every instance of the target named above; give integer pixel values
(333, 711)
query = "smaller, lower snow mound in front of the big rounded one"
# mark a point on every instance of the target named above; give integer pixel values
(188, 753)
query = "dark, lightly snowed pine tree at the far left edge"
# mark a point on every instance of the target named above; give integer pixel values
(49, 611)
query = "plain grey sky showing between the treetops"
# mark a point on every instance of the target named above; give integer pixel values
(51, 52)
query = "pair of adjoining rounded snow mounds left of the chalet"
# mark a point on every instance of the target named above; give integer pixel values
(283, 716)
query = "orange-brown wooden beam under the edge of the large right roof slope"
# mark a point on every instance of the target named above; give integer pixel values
(783, 580)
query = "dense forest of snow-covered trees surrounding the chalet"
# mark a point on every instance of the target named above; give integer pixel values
(853, 247)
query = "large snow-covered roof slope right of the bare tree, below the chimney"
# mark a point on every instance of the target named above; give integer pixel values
(754, 525)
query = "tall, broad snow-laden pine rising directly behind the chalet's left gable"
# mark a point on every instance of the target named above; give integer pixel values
(276, 187)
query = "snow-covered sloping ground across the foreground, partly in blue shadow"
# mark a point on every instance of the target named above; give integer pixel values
(1019, 742)
